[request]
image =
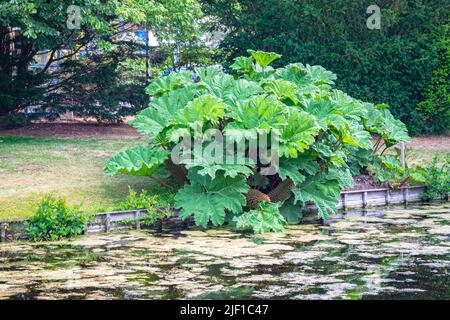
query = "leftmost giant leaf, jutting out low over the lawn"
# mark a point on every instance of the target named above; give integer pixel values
(138, 161)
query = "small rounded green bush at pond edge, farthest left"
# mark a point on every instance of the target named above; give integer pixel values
(55, 220)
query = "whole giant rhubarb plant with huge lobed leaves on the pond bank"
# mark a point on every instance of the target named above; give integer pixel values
(320, 129)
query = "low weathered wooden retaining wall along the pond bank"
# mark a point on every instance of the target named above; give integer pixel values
(106, 221)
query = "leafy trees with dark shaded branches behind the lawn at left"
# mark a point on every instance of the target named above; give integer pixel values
(97, 83)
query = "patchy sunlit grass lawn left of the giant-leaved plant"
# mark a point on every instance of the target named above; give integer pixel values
(31, 167)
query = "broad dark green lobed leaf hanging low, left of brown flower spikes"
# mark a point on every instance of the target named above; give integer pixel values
(207, 199)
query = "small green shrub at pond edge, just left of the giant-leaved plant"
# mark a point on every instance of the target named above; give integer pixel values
(157, 208)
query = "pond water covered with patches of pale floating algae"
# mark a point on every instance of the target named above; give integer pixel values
(385, 254)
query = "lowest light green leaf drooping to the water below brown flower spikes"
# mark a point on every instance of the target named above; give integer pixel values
(266, 218)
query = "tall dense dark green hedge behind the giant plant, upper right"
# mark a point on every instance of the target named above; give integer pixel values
(396, 64)
